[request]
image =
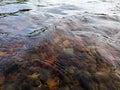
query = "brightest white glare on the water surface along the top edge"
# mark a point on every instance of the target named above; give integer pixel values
(92, 6)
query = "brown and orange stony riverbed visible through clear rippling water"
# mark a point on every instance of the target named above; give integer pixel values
(59, 61)
